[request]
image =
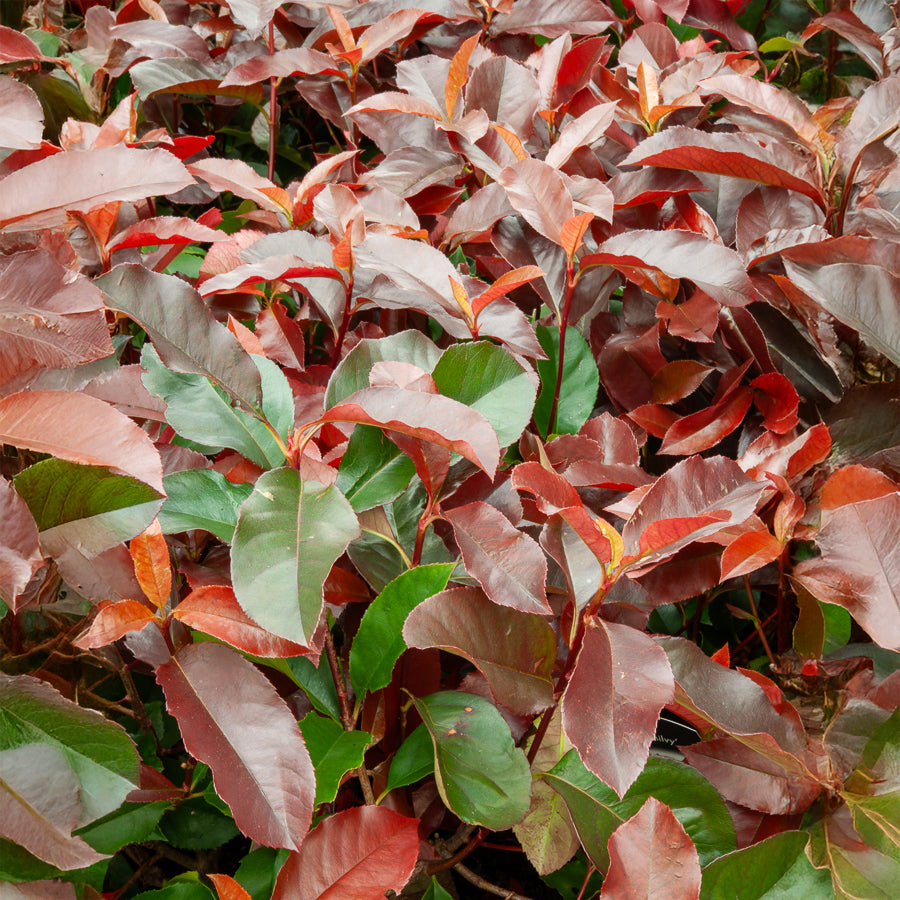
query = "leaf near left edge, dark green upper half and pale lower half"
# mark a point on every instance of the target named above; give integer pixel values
(87, 506)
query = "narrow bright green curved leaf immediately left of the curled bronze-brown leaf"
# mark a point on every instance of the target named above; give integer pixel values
(379, 641)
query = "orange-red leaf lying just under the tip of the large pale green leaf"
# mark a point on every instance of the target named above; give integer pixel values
(215, 611)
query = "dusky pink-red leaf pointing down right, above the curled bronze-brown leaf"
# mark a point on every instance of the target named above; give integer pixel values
(506, 562)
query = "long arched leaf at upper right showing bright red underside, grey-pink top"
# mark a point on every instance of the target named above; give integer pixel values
(736, 155)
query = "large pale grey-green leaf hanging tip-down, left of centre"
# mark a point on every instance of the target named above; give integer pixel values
(288, 536)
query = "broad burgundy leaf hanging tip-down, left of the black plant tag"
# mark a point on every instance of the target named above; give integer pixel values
(621, 682)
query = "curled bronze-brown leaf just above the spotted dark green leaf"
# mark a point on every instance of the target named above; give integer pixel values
(515, 651)
